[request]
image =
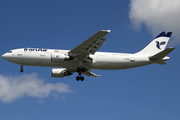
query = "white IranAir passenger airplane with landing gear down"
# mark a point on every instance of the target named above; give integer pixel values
(85, 57)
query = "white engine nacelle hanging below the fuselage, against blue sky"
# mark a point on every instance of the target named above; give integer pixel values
(61, 72)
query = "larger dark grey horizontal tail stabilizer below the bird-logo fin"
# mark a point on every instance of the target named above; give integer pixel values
(161, 54)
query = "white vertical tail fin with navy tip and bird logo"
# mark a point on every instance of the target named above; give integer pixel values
(157, 45)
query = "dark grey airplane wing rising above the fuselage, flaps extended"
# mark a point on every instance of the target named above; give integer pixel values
(91, 45)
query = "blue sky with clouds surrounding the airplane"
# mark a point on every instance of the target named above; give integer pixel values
(151, 92)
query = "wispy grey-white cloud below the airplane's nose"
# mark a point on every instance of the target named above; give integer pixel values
(14, 87)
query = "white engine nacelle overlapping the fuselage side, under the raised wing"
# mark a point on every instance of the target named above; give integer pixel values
(59, 57)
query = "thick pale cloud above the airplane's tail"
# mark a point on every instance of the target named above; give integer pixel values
(157, 16)
